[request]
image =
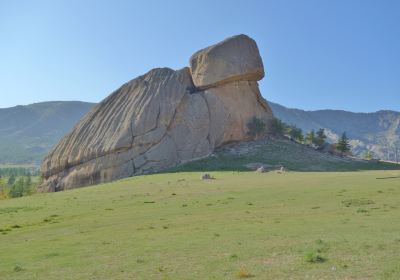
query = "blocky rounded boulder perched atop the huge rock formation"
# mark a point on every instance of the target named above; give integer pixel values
(234, 59)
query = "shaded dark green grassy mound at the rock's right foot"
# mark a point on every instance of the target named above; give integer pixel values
(283, 152)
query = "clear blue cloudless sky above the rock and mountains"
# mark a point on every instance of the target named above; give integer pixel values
(318, 54)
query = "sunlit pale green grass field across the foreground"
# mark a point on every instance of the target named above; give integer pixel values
(240, 225)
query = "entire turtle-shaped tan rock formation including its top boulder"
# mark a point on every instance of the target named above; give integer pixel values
(163, 118)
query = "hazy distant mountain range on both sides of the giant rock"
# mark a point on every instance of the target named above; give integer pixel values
(27, 133)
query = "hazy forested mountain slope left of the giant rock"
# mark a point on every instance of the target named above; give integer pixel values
(27, 133)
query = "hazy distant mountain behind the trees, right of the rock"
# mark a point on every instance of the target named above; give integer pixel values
(378, 131)
